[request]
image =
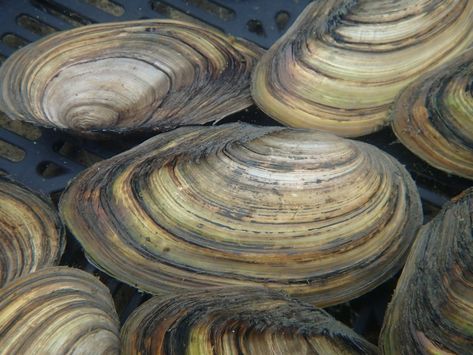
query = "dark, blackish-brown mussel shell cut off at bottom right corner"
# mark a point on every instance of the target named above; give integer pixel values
(432, 308)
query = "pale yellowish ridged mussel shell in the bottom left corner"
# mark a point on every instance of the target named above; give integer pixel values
(58, 310)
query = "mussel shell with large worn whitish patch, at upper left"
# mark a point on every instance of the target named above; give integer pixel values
(128, 76)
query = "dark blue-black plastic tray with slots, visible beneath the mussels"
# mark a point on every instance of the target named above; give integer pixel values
(48, 159)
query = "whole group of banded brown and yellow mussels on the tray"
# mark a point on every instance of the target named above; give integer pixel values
(243, 232)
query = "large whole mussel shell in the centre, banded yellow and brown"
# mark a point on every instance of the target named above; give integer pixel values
(321, 217)
